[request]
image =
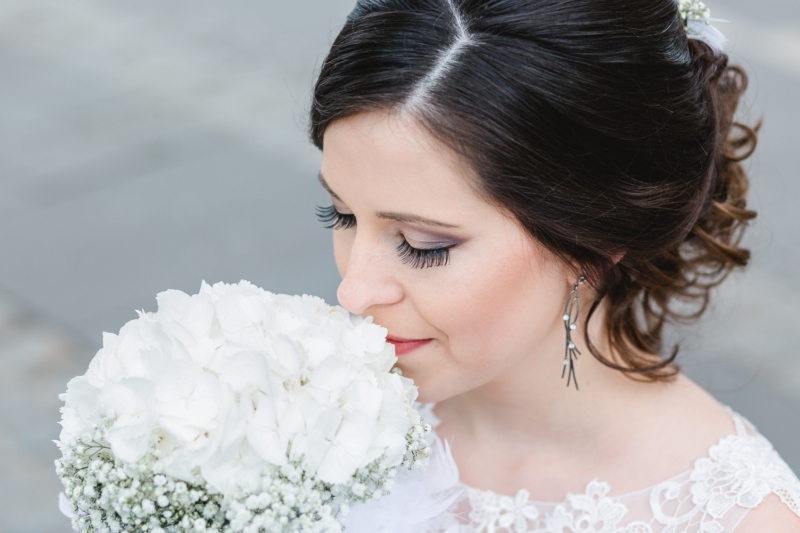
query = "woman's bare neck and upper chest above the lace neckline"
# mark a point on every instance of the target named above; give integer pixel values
(527, 429)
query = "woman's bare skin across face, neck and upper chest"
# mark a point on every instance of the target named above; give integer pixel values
(494, 317)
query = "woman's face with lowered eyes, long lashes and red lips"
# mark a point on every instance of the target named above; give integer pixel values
(456, 278)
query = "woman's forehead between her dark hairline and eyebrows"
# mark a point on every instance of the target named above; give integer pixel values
(390, 158)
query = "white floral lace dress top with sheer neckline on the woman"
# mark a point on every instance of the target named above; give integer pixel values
(713, 497)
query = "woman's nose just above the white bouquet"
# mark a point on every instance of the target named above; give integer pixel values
(368, 277)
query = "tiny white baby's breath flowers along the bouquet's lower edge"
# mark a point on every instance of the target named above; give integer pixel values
(111, 496)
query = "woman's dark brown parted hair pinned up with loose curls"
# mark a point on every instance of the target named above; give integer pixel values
(596, 123)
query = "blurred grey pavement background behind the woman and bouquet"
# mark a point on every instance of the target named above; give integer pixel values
(153, 144)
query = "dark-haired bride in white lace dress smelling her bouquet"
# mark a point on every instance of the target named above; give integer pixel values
(524, 192)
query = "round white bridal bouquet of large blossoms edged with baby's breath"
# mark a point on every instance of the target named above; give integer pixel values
(239, 410)
